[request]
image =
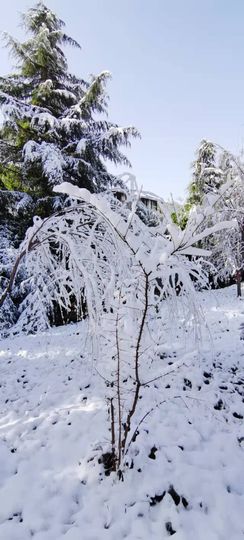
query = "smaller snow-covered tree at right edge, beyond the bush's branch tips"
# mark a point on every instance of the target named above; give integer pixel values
(213, 168)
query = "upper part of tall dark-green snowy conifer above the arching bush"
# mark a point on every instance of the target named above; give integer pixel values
(54, 128)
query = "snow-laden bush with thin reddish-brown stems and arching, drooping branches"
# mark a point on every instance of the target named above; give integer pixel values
(100, 249)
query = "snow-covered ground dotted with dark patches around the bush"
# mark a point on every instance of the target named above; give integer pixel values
(185, 474)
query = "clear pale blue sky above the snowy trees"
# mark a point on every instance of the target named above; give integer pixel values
(177, 69)
